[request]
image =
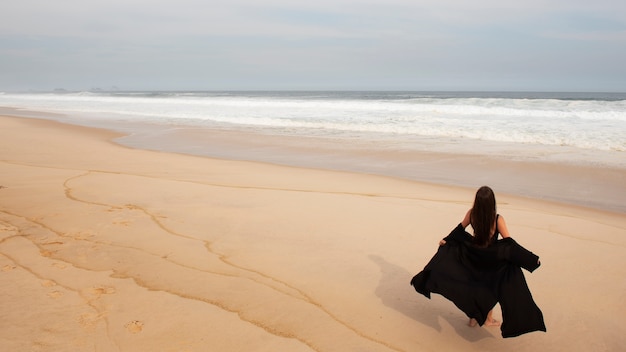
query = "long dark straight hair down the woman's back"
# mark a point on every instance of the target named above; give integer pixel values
(483, 215)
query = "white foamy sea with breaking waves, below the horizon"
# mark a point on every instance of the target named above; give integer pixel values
(596, 123)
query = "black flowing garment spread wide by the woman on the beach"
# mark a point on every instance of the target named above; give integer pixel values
(475, 279)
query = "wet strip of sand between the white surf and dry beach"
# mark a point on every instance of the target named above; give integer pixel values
(602, 188)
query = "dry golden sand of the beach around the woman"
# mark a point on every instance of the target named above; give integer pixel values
(108, 248)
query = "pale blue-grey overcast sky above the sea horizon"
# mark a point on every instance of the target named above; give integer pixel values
(488, 45)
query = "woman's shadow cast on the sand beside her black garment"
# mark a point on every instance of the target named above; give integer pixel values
(395, 291)
